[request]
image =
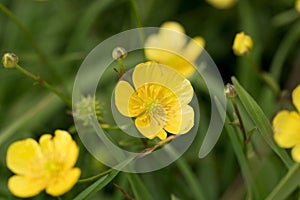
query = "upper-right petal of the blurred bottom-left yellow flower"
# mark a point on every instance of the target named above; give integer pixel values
(66, 150)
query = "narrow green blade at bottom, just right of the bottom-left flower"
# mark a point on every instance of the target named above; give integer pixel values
(98, 185)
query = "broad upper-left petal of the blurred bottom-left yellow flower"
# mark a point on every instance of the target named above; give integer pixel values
(24, 157)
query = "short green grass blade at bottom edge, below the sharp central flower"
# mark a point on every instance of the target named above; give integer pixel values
(139, 189)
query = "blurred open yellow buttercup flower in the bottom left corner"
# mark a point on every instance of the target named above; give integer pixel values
(47, 165)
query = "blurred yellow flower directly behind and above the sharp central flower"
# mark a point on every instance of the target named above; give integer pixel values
(171, 48)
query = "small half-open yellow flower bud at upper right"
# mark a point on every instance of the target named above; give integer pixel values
(242, 44)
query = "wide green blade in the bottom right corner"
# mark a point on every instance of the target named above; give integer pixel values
(287, 184)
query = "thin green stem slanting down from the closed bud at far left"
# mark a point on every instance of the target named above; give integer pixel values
(45, 84)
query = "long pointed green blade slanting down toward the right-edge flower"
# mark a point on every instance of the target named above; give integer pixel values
(261, 122)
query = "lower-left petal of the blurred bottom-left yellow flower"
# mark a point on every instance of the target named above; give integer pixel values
(25, 187)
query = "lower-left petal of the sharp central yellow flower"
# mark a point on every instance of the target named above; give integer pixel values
(146, 127)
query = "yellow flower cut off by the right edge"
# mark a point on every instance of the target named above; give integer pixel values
(286, 127)
